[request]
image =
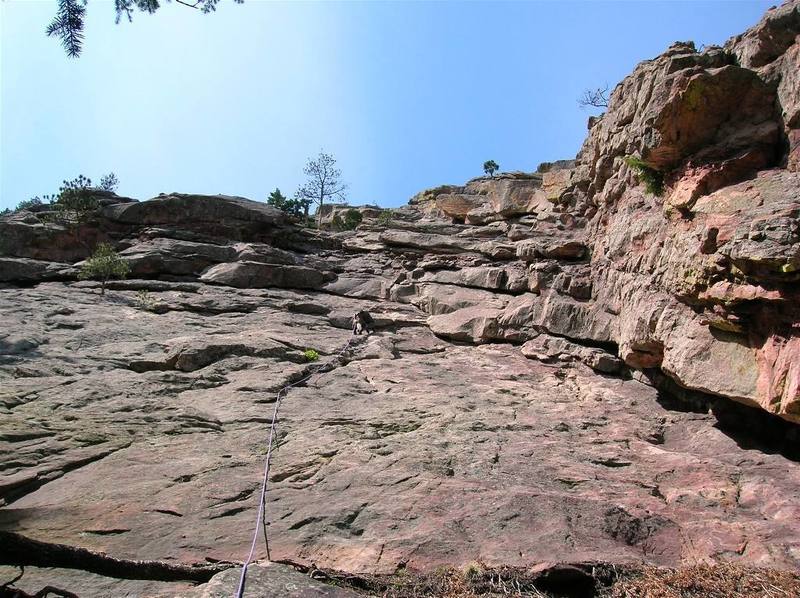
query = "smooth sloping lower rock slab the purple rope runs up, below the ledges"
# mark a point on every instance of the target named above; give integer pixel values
(141, 434)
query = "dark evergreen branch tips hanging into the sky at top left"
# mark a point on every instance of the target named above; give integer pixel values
(68, 23)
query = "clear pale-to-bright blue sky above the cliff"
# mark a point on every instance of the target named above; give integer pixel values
(407, 95)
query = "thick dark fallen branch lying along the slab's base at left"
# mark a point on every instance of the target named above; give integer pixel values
(21, 551)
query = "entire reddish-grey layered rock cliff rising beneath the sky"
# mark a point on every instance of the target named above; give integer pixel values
(566, 367)
